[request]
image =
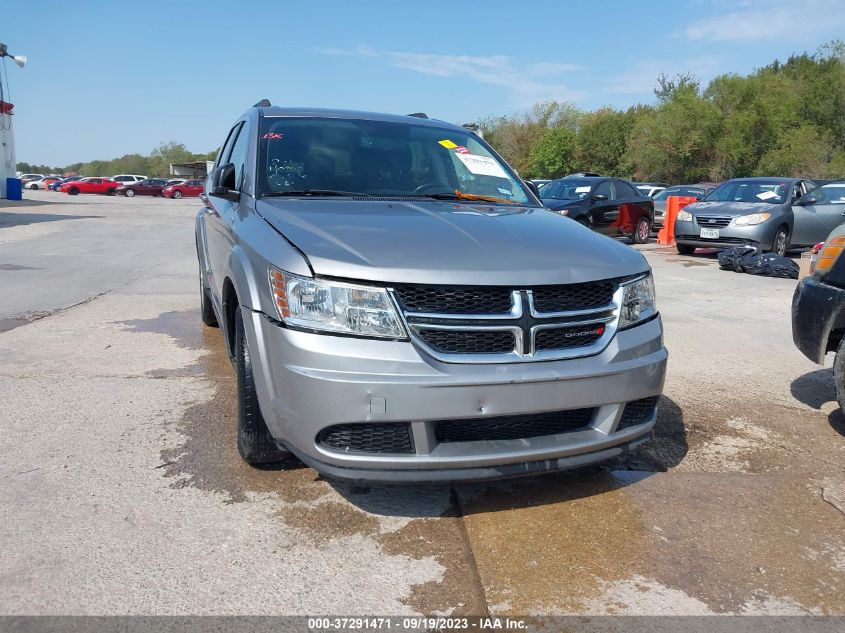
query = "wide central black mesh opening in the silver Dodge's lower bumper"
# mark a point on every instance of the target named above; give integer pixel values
(513, 427)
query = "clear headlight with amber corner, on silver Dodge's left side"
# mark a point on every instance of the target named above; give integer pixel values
(334, 306)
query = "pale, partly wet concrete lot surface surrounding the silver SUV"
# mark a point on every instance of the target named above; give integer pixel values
(121, 491)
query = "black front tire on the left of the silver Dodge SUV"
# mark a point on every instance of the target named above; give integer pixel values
(255, 444)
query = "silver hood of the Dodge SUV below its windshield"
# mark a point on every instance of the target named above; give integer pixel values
(446, 243)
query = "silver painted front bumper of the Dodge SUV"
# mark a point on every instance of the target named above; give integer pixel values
(308, 382)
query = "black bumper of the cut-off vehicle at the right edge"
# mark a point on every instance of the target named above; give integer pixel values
(816, 311)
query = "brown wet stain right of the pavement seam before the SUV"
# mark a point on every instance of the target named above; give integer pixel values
(720, 539)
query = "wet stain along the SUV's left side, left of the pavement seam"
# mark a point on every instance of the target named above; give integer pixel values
(321, 511)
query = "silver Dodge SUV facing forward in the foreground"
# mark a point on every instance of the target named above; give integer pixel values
(399, 305)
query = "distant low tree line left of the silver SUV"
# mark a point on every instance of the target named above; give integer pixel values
(157, 163)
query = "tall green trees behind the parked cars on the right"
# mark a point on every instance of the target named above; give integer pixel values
(786, 119)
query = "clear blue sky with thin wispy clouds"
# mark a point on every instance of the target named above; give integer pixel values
(102, 82)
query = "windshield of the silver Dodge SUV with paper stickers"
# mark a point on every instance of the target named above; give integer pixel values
(379, 158)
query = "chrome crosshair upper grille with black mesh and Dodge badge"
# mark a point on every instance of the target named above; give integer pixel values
(486, 324)
